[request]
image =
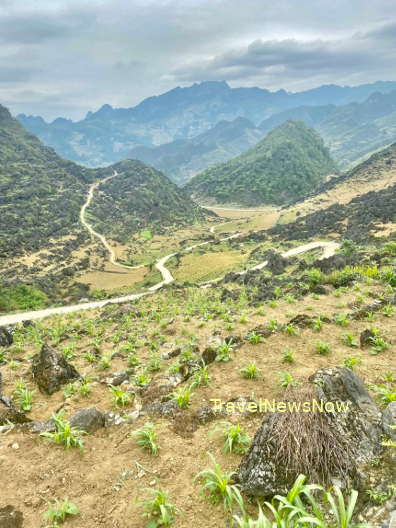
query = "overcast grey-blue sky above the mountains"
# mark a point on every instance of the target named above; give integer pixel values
(65, 57)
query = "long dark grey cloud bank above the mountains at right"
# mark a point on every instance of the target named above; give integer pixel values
(293, 57)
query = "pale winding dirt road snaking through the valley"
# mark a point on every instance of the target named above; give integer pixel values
(329, 248)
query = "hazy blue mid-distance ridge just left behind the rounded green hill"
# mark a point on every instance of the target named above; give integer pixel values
(184, 158)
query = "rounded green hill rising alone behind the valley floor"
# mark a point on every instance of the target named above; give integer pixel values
(288, 163)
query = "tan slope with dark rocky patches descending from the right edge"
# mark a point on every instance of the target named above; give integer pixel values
(358, 205)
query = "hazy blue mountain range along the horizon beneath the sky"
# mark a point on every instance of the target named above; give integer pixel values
(183, 114)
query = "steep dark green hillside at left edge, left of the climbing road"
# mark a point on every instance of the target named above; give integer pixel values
(40, 193)
